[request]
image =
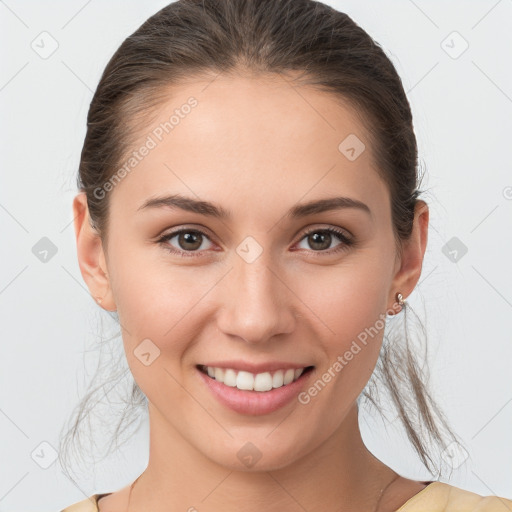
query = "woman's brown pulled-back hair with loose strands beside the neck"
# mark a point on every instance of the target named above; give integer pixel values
(319, 46)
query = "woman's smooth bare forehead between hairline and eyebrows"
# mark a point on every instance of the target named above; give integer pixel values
(263, 139)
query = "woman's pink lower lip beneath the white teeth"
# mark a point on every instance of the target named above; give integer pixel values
(254, 402)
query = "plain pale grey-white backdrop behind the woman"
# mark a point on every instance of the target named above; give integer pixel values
(455, 62)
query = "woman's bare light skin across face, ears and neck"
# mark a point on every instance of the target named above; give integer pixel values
(256, 147)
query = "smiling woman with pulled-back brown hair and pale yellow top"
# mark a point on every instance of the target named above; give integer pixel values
(249, 208)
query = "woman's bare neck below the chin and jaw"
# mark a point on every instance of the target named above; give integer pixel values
(341, 474)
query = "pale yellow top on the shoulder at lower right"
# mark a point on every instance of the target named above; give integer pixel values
(442, 497)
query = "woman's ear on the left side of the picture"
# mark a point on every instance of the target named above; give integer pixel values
(91, 257)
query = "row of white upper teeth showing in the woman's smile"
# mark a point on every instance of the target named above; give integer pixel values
(254, 382)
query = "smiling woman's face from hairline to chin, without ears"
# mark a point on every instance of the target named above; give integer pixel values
(255, 292)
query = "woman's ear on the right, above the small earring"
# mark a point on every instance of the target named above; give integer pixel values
(409, 265)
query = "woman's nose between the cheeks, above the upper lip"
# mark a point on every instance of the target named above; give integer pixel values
(256, 303)
